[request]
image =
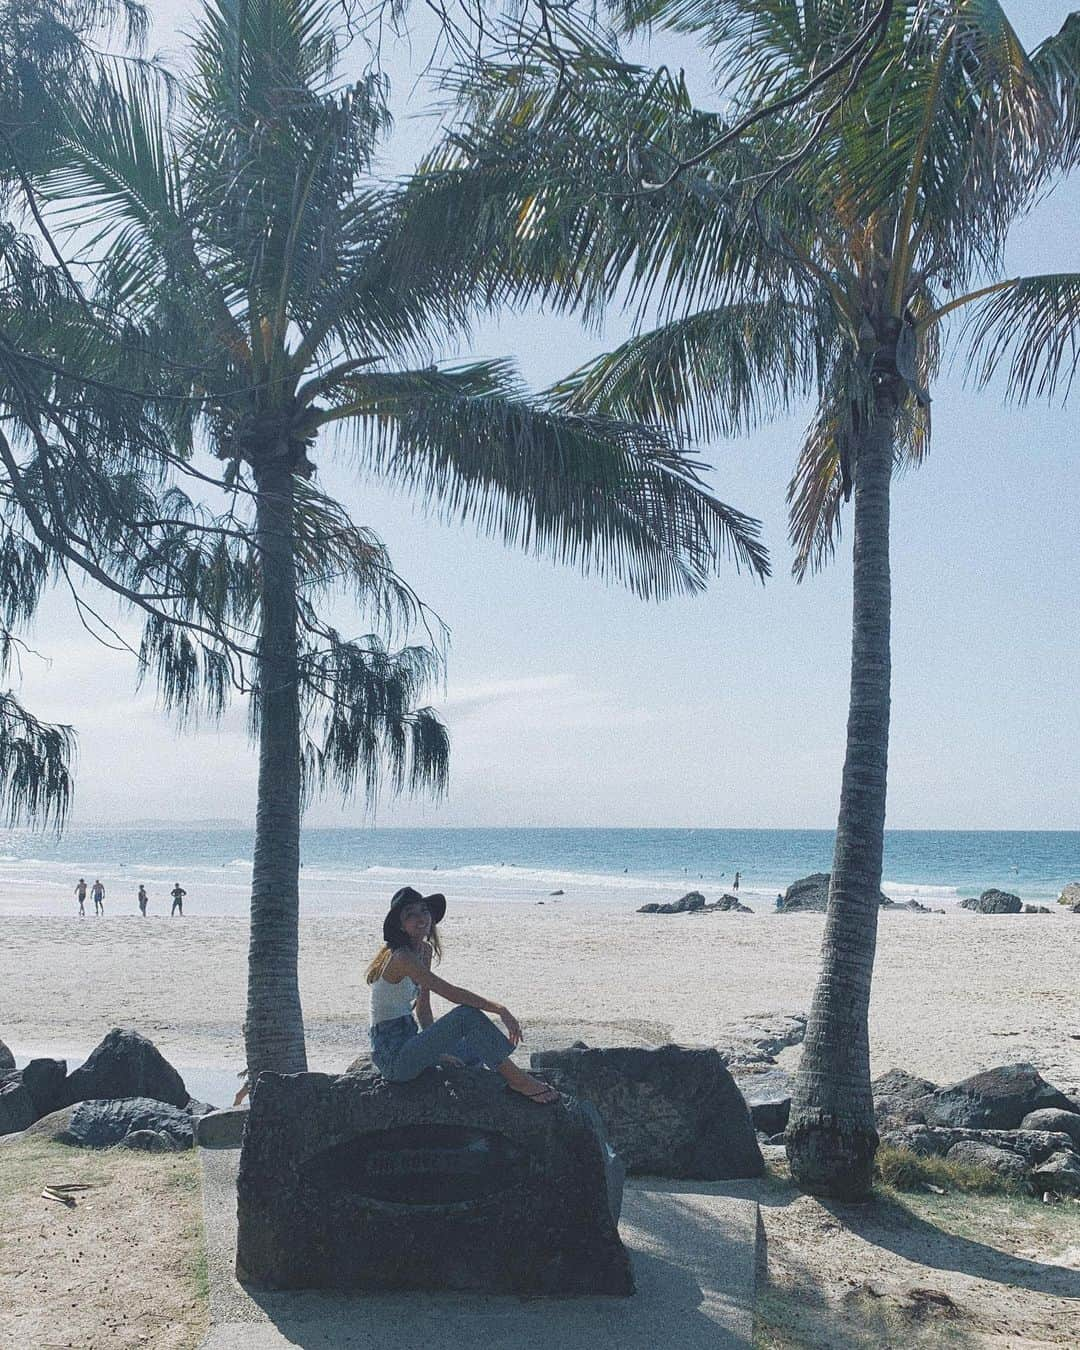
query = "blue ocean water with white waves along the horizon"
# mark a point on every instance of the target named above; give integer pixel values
(350, 870)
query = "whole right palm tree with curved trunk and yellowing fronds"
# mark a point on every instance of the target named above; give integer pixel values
(826, 252)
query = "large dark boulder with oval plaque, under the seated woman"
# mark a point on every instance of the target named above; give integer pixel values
(445, 1183)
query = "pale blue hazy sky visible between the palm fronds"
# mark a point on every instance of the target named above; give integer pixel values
(573, 704)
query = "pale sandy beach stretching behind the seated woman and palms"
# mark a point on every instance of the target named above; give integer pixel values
(954, 993)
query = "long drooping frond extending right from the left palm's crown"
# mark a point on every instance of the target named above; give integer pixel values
(607, 496)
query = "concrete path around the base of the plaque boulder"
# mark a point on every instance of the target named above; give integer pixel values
(693, 1247)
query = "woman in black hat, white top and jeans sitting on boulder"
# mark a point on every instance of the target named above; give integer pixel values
(403, 983)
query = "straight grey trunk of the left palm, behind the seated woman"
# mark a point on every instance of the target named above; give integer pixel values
(275, 1024)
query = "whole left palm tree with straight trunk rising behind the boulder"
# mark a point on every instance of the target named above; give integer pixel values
(246, 226)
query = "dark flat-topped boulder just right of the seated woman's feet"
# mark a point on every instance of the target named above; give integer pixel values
(673, 1112)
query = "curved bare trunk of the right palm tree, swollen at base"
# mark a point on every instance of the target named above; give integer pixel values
(831, 1136)
